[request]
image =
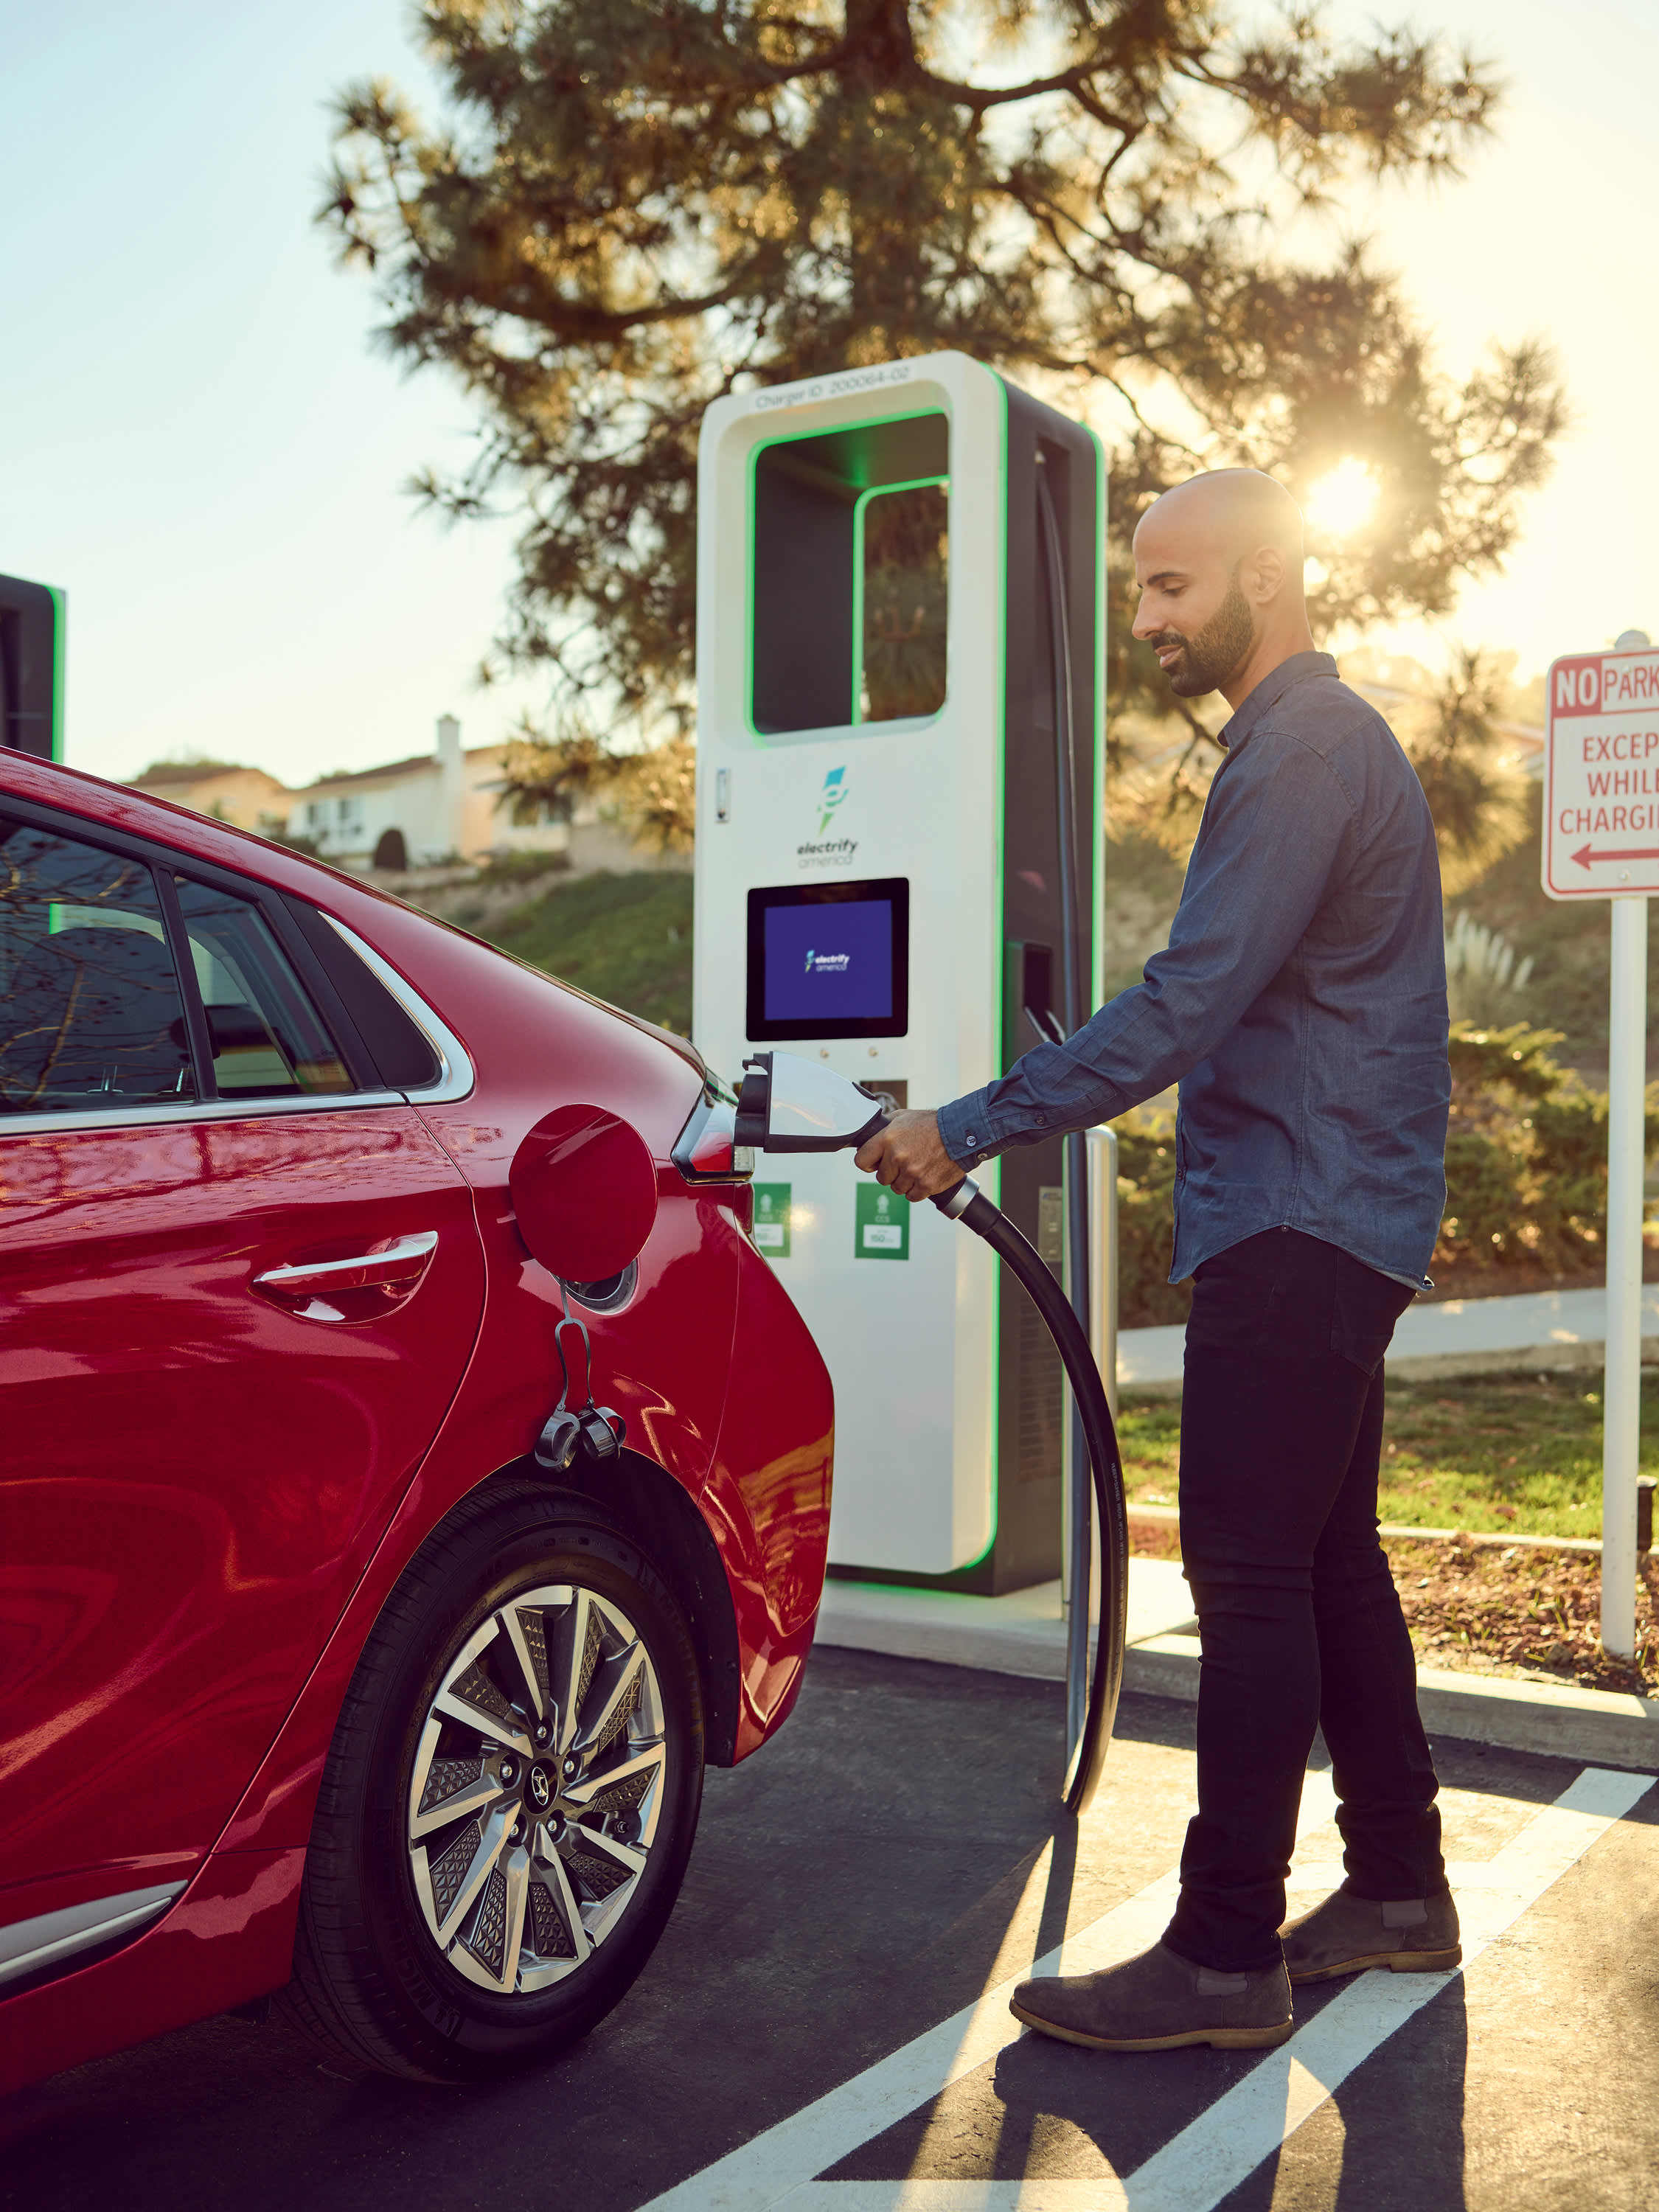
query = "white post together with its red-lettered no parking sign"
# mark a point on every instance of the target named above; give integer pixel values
(1603, 842)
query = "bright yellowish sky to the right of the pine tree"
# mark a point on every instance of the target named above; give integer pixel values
(1552, 233)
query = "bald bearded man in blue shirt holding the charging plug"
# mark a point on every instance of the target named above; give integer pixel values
(1302, 1008)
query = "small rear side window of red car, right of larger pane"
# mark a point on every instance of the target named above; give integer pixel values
(267, 1036)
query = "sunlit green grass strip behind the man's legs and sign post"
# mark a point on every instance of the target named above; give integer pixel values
(1519, 1452)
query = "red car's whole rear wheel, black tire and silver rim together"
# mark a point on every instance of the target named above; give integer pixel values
(373, 1970)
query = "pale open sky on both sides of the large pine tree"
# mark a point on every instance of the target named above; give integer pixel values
(207, 455)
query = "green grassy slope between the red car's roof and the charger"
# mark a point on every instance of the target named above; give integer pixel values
(625, 939)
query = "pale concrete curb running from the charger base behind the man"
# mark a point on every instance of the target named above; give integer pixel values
(1025, 1636)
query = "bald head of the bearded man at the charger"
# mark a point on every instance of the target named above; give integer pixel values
(1220, 565)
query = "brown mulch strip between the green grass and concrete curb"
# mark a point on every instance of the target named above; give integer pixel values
(1501, 1609)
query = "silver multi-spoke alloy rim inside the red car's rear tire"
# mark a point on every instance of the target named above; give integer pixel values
(536, 1788)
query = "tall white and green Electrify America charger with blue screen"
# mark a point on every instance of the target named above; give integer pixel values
(899, 811)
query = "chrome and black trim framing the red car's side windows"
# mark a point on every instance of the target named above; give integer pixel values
(165, 864)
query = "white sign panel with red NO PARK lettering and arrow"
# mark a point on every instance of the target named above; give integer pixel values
(1603, 778)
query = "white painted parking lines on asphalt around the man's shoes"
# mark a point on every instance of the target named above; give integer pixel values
(1227, 2142)
